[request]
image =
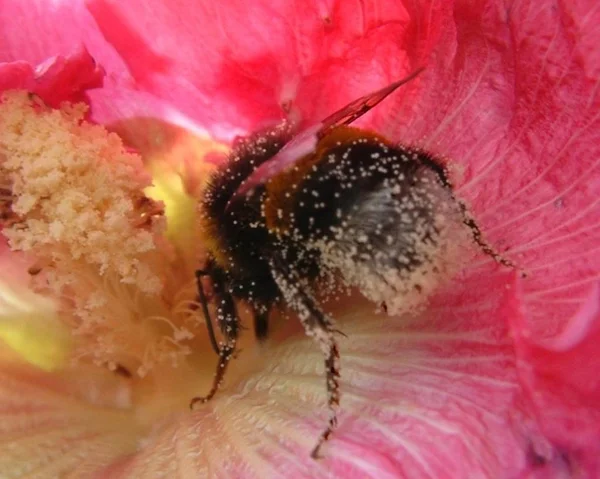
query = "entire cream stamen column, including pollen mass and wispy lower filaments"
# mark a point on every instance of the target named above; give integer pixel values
(72, 200)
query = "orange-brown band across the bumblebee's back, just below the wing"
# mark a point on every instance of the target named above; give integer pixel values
(280, 190)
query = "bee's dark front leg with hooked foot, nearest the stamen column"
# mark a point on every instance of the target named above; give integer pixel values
(228, 321)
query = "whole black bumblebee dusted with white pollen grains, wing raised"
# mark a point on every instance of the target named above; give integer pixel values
(334, 204)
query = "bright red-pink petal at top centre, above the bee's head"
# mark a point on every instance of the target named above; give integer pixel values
(229, 84)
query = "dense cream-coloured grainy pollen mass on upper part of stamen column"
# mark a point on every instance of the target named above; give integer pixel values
(76, 192)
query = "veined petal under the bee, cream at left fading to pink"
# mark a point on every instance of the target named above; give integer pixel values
(426, 397)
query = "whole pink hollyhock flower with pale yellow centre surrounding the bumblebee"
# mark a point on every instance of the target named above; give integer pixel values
(493, 378)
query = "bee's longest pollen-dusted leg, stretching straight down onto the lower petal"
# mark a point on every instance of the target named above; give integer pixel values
(321, 328)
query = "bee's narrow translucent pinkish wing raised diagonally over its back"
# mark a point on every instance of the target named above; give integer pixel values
(306, 141)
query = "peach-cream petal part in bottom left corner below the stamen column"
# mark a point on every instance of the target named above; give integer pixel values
(49, 429)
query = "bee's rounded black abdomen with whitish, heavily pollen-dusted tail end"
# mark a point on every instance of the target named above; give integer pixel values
(378, 215)
